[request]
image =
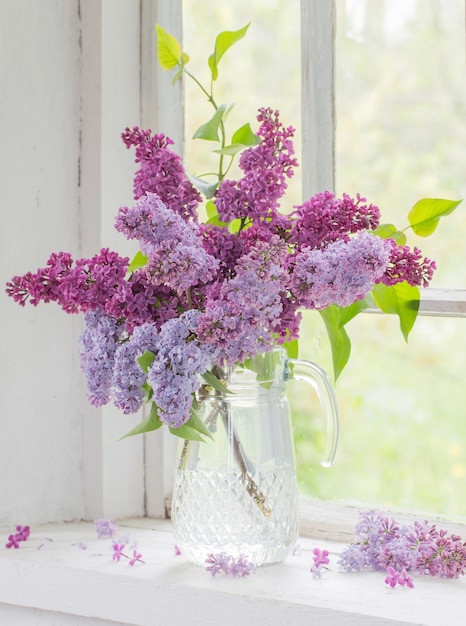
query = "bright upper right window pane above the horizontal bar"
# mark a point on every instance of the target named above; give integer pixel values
(401, 111)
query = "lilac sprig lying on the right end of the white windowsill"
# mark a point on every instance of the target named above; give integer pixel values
(382, 543)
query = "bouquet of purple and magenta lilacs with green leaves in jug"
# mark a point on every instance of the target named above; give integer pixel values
(198, 297)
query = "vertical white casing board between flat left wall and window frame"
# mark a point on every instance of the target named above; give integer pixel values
(110, 39)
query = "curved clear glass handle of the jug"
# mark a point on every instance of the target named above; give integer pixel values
(320, 381)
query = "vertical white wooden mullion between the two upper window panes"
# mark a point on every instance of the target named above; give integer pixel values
(317, 96)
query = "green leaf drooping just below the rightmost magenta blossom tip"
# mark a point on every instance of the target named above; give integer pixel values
(402, 300)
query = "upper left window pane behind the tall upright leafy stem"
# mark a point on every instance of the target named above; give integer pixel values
(261, 70)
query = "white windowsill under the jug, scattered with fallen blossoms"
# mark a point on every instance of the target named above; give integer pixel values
(61, 578)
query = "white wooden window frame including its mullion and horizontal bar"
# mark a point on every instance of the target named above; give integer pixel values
(318, 120)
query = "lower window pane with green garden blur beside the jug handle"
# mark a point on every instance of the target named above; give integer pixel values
(403, 432)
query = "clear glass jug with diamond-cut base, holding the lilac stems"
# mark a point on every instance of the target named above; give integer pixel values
(237, 492)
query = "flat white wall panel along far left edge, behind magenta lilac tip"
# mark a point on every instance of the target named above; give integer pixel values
(40, 406)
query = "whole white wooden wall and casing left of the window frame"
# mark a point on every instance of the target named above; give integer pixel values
(70, 76)
